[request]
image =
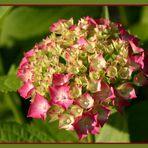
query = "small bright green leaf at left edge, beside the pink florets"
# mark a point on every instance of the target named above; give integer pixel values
(9, 83)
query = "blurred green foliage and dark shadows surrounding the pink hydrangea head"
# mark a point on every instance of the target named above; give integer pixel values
(20, 28)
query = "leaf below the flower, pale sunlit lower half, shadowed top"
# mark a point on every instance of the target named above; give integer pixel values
(116, 129)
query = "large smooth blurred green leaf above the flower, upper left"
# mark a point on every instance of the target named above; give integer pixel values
(27, 22)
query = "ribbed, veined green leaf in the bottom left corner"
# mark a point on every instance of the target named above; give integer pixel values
(14, 132)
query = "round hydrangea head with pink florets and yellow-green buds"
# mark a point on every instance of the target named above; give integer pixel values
(80, 72)
